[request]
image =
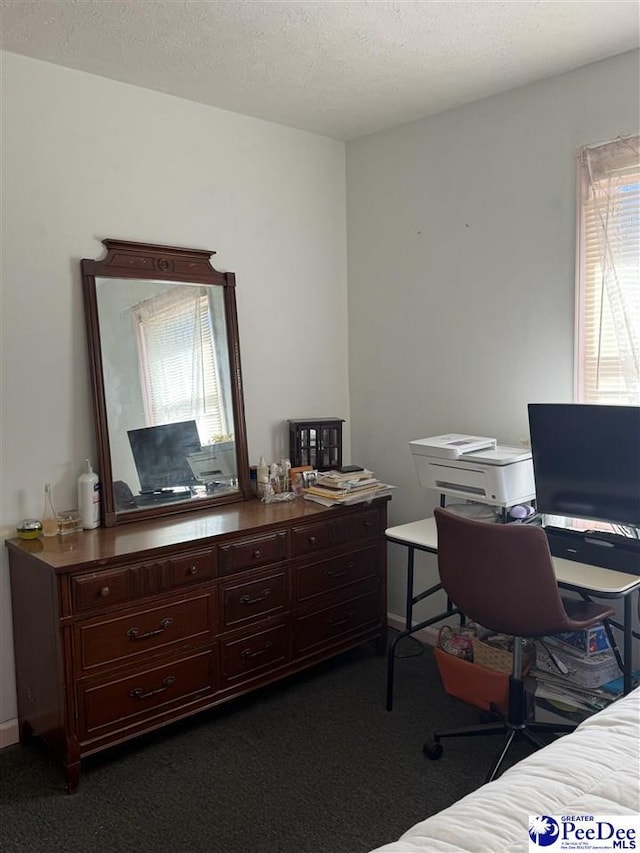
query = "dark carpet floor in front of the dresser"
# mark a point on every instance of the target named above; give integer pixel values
(314, 764)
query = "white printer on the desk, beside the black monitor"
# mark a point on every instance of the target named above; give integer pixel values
(474, 467)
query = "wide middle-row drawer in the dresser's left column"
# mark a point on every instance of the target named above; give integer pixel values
(109, 640)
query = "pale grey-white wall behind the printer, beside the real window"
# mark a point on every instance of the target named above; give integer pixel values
(461, 241)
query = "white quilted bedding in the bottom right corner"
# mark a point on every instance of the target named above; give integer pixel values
(594, 770)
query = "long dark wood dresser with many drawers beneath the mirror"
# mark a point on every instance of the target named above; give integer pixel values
(120, 631)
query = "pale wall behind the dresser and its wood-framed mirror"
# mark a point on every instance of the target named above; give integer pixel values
(86, 158)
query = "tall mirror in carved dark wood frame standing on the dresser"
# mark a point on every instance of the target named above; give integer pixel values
(164, 352)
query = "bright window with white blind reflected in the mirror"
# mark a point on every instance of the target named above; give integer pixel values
(177, 361)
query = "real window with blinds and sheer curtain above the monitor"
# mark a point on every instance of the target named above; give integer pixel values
(608, 273)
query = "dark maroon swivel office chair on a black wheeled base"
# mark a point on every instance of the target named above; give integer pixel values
(502, 576)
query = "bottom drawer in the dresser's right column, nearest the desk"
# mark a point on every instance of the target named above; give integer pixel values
(332, 623)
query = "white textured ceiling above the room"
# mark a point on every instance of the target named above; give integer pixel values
(341, 68)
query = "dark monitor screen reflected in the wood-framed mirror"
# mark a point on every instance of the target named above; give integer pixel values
(160, 454)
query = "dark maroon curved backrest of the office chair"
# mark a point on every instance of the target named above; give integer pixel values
(500, 575)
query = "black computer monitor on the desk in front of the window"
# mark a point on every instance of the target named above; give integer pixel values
(586, 461)
